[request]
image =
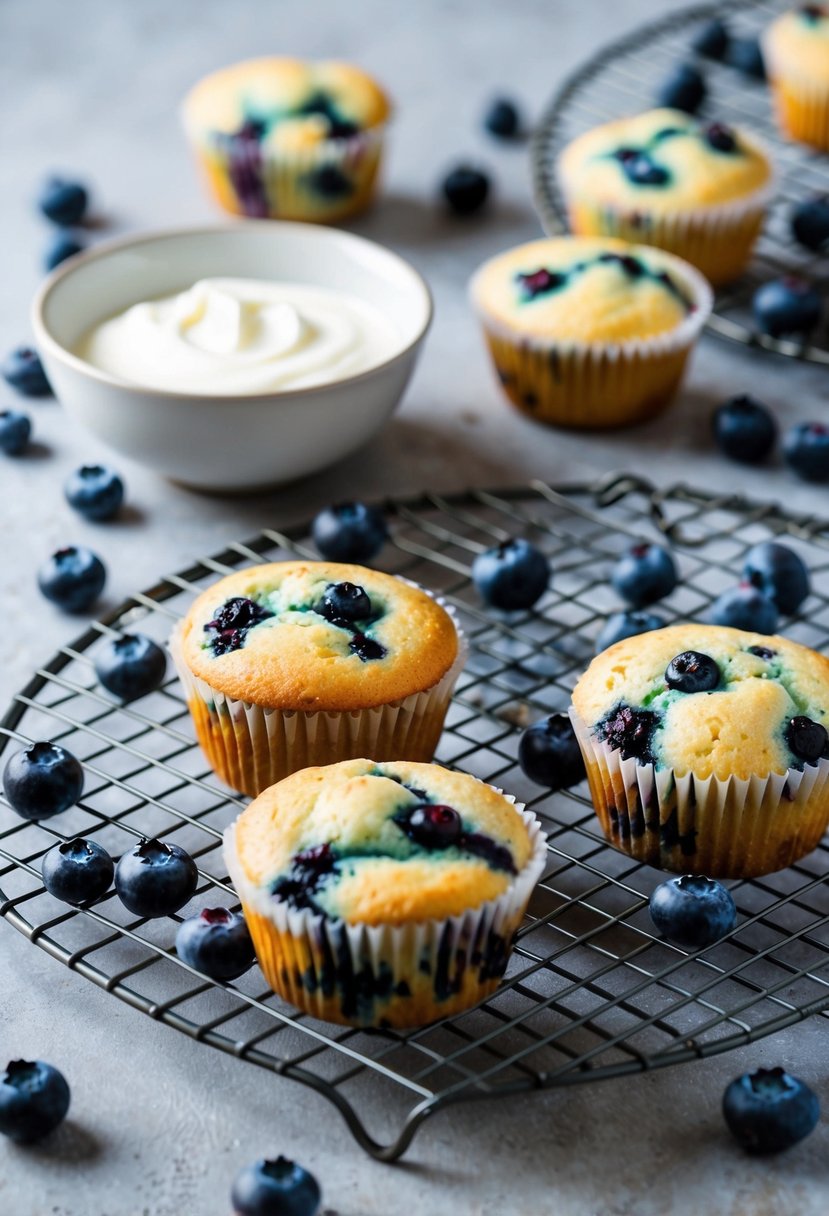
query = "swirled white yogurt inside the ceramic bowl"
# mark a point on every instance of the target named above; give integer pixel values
(241, 336)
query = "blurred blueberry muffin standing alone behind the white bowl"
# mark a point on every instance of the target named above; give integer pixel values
(289, 139)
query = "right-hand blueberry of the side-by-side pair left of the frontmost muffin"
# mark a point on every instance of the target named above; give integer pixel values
(156, 879)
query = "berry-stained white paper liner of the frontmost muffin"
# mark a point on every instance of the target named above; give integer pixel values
(387, 976)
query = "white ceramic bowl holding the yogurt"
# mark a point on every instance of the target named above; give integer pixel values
(229, 443)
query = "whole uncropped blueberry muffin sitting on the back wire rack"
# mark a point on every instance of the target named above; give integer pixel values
(663, 178)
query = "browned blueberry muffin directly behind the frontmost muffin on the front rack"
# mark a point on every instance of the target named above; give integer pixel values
(301, 663)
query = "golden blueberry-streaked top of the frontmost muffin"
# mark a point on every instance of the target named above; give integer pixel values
(382, 843)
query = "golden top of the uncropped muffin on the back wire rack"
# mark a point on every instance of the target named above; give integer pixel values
(664, 161)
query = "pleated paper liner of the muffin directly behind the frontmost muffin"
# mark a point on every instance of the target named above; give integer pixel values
(252, 747)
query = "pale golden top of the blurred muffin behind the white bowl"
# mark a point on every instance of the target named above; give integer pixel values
(285, 104)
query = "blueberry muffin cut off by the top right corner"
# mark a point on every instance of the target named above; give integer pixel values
(797, 54)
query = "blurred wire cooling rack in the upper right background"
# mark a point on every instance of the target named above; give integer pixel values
(624, 77)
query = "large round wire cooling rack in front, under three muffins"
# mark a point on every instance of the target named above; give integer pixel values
(591, 992)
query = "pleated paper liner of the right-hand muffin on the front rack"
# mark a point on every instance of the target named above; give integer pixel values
(721, 827)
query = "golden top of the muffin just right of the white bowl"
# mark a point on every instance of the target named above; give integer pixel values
(586, 290)
